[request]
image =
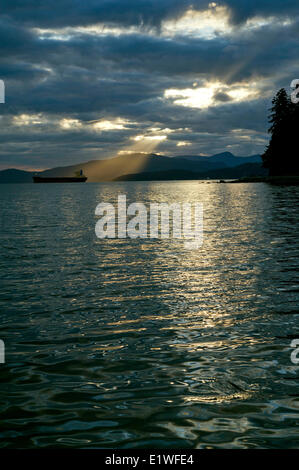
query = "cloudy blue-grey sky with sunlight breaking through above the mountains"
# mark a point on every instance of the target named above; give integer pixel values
(93, 79)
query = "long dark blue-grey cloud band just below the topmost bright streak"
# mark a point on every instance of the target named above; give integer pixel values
(231, 59)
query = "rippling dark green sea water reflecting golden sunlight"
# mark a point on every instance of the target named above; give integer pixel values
(141, 343)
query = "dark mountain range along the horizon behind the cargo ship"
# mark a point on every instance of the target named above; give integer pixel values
(150, 166)
